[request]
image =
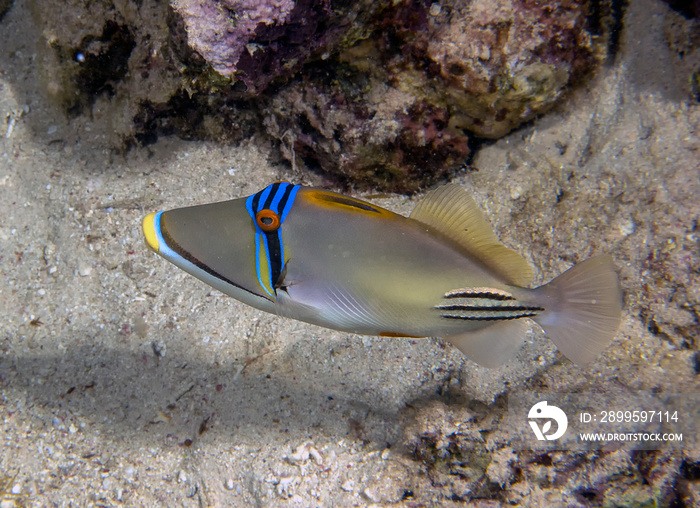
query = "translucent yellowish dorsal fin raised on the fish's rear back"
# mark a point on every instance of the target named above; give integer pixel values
(451, 211)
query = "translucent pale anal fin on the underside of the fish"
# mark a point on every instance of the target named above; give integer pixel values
(491, 346)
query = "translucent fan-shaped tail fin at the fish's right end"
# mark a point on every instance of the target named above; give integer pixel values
(583, 309)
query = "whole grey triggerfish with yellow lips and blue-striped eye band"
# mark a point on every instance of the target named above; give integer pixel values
(346, 264)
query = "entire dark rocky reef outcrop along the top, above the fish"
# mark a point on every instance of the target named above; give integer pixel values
(386, 94)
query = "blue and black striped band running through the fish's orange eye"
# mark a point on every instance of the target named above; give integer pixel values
(274, 200)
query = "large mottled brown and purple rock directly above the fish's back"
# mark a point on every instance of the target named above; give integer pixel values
(396, 108)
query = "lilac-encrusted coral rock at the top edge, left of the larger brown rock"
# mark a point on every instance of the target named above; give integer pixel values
(254, 42)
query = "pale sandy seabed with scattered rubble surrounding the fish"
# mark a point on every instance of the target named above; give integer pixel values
(126, 382)
